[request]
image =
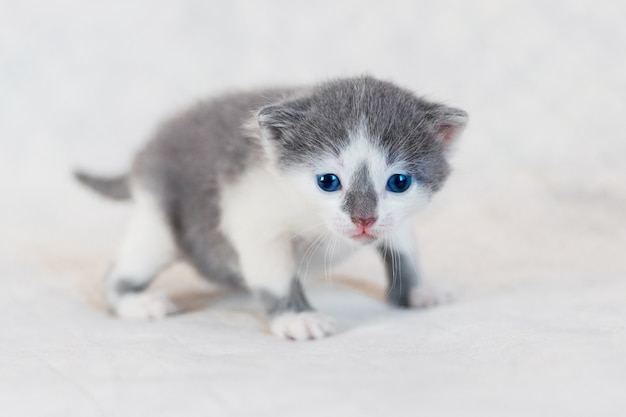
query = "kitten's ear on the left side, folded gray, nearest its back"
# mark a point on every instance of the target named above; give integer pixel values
(277, 120)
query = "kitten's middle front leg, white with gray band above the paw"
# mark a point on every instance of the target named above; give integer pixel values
(269, 270)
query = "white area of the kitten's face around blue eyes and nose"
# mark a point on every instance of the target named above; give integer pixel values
(358, 193)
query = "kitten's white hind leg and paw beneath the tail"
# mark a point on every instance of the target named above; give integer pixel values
(147, 247)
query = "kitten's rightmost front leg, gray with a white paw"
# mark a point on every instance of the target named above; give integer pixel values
(405, 286)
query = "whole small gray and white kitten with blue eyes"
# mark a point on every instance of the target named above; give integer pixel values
(247, 186)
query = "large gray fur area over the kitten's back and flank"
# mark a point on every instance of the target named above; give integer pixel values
(191, 157)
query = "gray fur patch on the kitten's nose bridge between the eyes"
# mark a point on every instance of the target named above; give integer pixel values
(361, 199)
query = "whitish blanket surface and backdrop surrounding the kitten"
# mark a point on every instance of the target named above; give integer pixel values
(530, 232)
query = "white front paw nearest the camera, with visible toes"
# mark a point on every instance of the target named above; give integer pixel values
(302, 326)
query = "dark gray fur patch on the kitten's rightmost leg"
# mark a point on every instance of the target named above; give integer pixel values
(402, 276)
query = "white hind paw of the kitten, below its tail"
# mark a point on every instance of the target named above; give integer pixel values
(144, 306)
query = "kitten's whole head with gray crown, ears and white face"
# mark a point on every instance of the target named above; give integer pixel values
(367, 153)
